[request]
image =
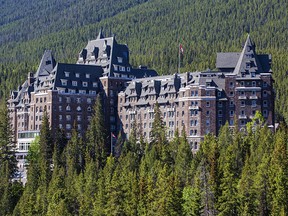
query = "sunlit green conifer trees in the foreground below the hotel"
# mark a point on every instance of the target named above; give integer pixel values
(232, 174)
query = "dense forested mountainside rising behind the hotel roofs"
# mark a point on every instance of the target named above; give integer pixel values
(151, 28)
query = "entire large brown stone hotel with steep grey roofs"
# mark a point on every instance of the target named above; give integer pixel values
(240, 85)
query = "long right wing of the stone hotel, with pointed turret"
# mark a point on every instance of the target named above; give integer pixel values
(202, 101)
